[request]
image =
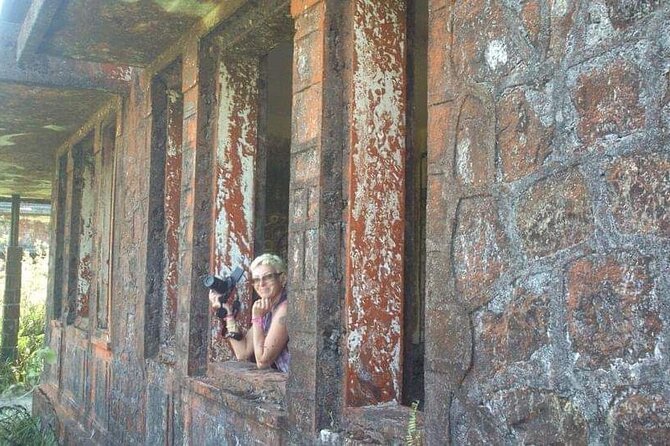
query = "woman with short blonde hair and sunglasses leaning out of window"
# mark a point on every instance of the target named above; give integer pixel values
(267, 339)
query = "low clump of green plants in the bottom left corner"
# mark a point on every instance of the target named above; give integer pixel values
(19, 428)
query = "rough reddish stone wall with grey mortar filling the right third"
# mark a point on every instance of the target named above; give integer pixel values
(547, 239)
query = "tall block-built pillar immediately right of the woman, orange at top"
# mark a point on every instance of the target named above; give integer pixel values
(316, 229)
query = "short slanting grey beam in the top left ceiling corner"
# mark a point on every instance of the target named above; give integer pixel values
(34, 28)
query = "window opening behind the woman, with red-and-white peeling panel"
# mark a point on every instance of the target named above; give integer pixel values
(252, 161)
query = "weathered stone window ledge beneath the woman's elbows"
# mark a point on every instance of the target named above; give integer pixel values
(243, 388)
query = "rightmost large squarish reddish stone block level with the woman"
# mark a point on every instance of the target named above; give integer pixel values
(612, 309)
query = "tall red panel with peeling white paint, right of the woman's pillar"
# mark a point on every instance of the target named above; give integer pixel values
(376, 239)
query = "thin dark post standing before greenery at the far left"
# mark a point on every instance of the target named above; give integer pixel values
(12, 302)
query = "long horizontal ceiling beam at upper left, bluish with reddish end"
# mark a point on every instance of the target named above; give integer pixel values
(54, 72)
